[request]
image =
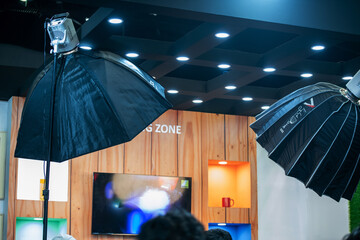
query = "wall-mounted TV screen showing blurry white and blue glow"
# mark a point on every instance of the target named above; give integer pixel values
(123, 202)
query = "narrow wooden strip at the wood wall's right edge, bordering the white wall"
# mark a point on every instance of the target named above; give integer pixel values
(253, 171)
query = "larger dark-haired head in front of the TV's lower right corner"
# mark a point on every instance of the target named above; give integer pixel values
(175, 225)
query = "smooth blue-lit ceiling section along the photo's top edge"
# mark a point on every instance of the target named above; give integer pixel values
(339, 16)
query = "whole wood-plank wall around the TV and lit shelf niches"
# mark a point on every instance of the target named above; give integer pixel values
(203, 137)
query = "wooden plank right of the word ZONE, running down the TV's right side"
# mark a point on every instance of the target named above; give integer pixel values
(189, 155)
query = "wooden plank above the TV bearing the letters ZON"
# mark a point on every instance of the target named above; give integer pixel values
(164, 145)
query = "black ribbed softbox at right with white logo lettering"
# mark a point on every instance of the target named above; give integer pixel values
(314, 135)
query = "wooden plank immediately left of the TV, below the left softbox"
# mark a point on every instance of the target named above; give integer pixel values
(81, 195)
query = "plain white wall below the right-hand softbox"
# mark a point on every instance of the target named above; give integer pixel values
(287, 210)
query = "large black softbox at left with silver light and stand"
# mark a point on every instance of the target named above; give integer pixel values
(84, 102)
